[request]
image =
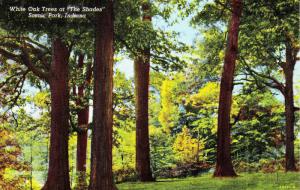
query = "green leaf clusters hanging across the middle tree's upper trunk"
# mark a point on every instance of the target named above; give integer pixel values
(134, 35)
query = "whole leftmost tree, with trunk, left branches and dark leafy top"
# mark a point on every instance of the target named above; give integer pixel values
(49, 66)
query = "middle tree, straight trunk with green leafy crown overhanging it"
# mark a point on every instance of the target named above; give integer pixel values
(137, 36)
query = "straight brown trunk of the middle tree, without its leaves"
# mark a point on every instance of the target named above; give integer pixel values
(142, 72)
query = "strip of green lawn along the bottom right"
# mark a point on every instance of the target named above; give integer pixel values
(243, 182)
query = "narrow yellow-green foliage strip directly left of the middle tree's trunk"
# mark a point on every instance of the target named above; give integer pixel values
(124, 132)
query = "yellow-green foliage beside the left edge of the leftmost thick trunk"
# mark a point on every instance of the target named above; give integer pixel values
(30, 128)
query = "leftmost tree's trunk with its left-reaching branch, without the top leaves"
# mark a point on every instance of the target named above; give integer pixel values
(57, 77)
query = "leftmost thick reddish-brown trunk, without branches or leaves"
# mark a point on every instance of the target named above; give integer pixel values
(58, 173)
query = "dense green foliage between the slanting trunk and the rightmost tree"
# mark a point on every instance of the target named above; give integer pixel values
(258, 133)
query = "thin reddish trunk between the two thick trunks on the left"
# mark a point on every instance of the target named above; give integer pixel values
(83, 120)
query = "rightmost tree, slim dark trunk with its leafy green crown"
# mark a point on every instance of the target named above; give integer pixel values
(274, 48)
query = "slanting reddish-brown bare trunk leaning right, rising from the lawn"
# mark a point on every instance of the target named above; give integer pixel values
(224, 165)
